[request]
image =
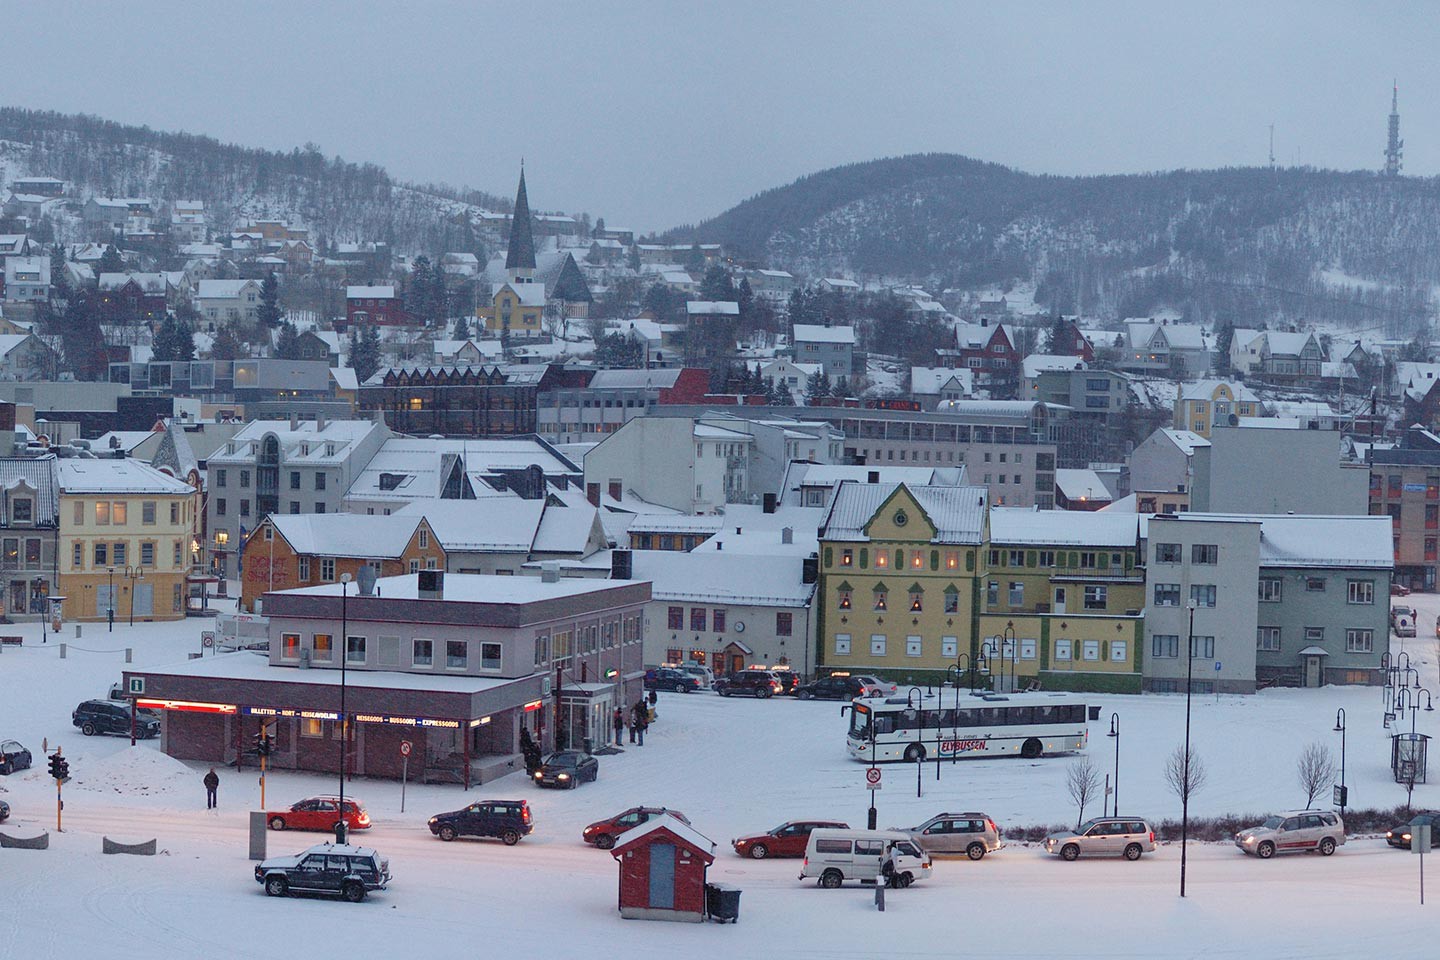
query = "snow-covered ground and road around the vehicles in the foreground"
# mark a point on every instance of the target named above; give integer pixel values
(732, 766)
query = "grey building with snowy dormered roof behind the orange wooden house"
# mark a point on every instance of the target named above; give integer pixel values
(274, 467)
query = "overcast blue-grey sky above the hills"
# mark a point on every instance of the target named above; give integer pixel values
(656, 114)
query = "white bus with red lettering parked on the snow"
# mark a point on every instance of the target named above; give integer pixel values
(960, 725)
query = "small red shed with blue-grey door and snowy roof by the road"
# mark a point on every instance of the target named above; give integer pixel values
(663, 871)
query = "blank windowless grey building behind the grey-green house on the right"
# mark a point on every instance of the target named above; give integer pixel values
(1258, 470)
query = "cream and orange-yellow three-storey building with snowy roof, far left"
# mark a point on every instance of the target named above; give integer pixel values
(127, 540)
